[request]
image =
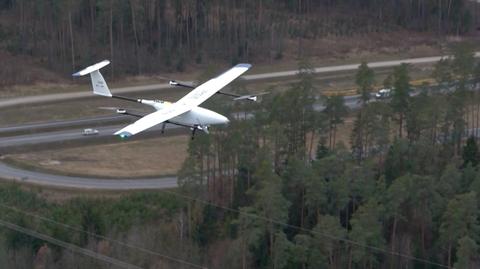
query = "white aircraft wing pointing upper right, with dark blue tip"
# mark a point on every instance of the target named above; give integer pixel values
(201, 93)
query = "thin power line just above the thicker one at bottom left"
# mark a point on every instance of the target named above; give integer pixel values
(104, 237)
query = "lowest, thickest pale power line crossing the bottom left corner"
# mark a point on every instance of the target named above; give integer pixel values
(71, 247)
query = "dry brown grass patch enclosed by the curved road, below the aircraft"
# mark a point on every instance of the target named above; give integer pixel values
(144, 158)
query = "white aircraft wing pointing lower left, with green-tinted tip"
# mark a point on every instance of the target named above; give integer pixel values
(153, 119)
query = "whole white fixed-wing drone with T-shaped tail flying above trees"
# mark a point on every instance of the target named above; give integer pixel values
(185, 112)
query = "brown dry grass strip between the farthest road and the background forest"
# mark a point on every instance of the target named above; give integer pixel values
(24, 76)
